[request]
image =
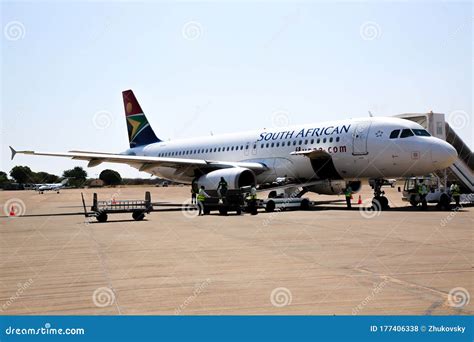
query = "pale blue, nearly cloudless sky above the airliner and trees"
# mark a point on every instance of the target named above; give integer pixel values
(198, 67)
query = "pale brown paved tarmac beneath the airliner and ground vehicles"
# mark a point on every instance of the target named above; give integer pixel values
(326, 261)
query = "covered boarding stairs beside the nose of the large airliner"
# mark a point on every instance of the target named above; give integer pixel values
(462, 169)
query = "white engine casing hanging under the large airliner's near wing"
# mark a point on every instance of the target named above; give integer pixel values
(236, 177)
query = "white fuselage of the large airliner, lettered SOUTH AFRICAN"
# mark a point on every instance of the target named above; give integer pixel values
(359, 149)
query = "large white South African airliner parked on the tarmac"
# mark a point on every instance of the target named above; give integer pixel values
(324, 157)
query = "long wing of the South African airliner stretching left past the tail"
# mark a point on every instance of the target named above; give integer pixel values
(144, 163)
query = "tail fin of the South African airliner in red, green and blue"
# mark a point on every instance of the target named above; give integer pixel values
(139, 130)
